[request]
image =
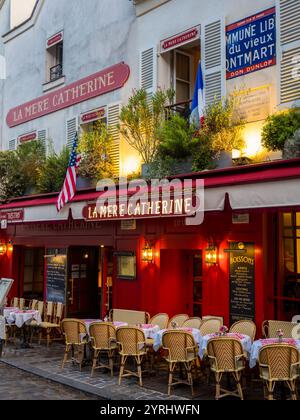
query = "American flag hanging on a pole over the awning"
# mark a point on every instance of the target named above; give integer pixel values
(69, 188)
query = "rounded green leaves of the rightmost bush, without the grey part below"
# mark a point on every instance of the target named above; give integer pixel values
(279, 128)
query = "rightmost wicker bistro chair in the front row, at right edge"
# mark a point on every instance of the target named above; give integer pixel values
(279, 363)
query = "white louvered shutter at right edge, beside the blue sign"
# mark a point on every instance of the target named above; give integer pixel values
(289, 18)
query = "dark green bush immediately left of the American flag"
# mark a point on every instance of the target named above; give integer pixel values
(52, 173)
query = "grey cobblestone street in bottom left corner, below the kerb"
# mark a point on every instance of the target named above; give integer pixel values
(18, 385)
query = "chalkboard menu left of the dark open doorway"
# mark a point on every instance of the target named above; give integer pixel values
(56, 274)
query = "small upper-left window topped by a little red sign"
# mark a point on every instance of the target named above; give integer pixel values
(54, 58)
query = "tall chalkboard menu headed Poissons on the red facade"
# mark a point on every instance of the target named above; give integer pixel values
(242, 281)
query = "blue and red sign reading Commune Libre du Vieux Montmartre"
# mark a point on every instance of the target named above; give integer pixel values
(251, 44)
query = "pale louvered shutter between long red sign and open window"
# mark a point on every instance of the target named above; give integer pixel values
(148, 70)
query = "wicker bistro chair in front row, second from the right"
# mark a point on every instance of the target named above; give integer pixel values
(226, 355)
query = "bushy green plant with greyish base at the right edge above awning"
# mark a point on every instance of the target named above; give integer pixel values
(281, 133)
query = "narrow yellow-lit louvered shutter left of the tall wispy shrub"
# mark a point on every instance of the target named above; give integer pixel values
(113, 120)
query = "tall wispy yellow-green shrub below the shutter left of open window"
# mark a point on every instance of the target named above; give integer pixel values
(141, 119)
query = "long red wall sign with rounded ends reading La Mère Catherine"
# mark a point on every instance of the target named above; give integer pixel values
(105, 81)
